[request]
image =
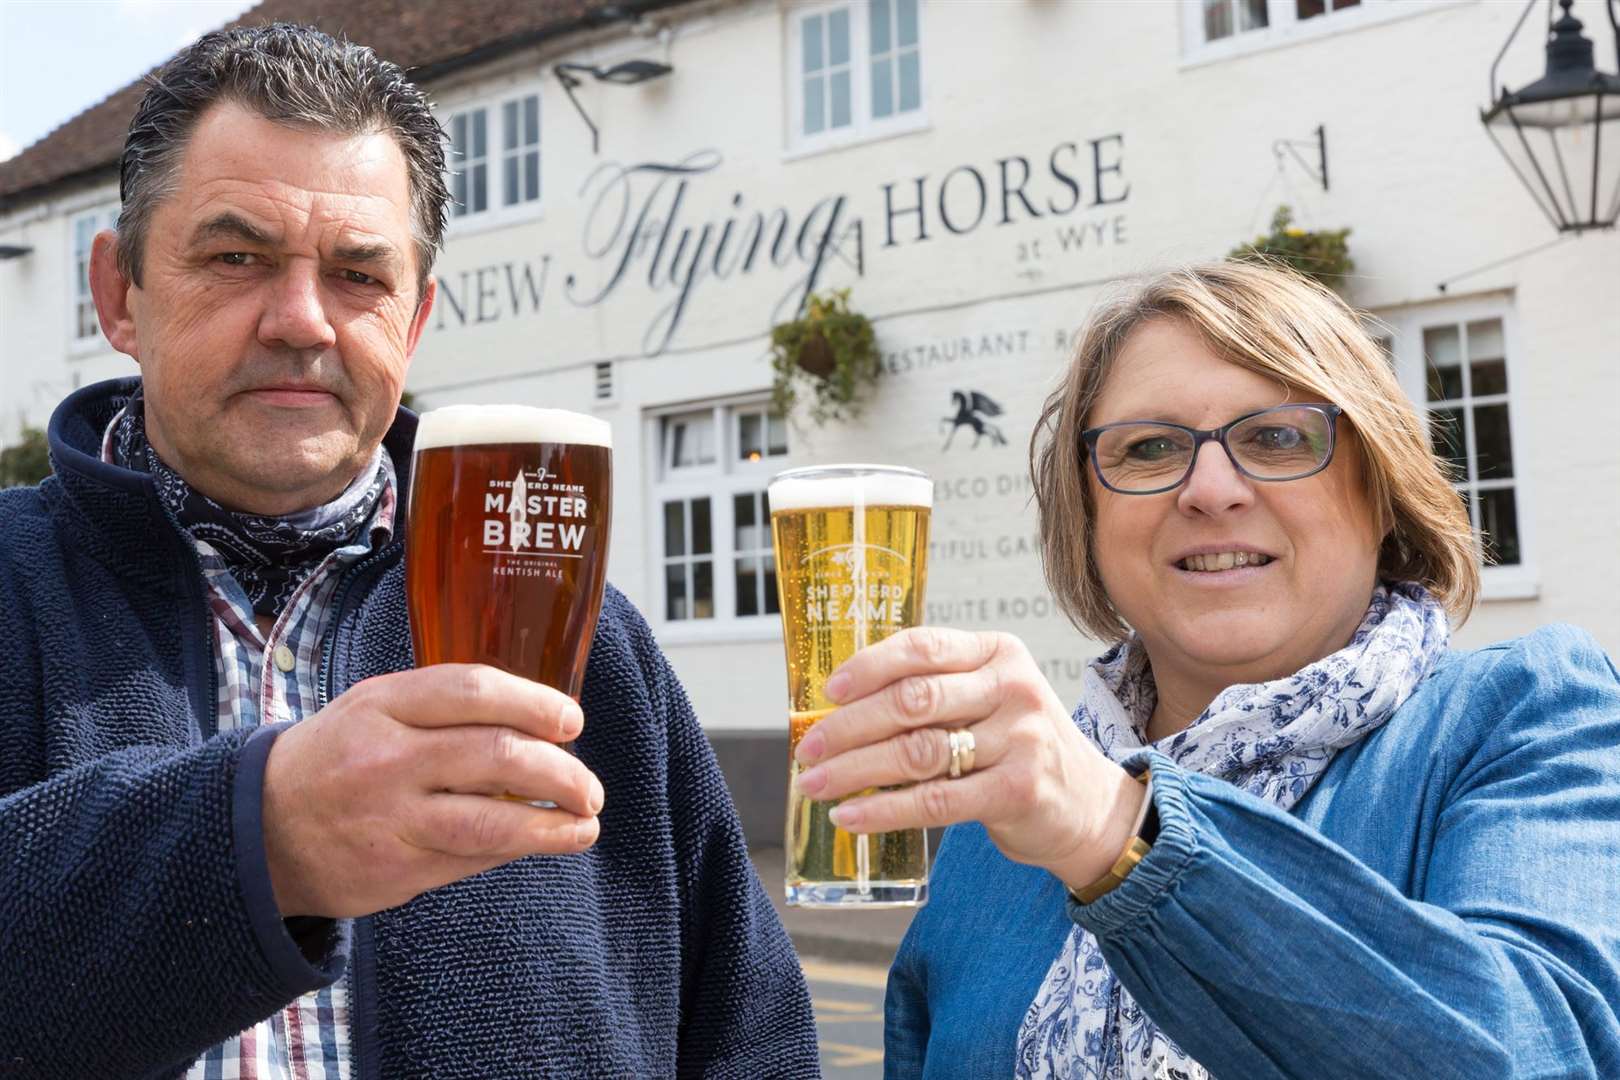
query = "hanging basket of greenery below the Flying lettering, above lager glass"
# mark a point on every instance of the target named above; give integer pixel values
(832, 354)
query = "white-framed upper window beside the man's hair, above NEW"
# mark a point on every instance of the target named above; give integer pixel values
(495, 158)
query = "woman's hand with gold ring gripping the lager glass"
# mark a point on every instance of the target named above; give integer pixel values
(1044, 793)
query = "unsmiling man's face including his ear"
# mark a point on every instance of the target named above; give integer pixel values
(278, 310)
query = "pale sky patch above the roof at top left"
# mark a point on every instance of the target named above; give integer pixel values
(61, 57)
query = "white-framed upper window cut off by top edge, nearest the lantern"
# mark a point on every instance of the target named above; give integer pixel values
(1222, 28)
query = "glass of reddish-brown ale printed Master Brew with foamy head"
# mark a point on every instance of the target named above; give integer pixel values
(506, 553)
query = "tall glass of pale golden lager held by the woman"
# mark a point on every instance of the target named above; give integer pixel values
(851, 568)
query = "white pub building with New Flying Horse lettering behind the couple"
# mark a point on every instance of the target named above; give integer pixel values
(646, 189)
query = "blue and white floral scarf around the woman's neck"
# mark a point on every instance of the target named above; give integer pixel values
(1269, 739)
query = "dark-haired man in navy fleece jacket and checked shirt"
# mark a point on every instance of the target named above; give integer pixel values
(239, 836)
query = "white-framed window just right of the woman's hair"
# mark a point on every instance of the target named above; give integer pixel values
(1456, 365)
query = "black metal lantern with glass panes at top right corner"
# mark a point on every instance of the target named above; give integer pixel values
(1562, 132)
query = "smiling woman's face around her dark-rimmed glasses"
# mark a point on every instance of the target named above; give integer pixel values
(1245, 624)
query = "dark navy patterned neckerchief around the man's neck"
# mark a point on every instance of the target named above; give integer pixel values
(268, 558)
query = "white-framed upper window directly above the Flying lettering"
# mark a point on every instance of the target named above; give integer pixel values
(856, 70)
